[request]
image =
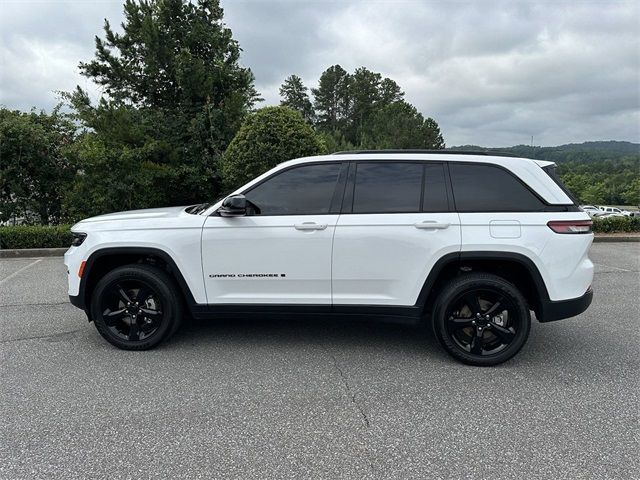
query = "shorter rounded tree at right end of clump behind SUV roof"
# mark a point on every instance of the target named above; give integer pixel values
(400, 125)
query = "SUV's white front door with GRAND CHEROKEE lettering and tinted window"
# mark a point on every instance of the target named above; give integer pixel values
(282, 253)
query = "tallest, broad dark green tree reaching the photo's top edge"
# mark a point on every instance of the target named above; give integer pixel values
(175, 95)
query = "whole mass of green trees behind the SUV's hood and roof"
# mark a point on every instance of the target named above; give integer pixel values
(176, 98)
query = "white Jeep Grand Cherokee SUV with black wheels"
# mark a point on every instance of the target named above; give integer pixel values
(470, 242)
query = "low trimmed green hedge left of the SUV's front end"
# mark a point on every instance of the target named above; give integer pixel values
(35, 236)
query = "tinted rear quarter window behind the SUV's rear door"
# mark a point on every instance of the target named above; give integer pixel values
(485, 188)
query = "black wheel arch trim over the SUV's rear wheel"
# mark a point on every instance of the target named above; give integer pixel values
(514, 267)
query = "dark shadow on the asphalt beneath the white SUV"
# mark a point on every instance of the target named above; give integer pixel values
(545, 347)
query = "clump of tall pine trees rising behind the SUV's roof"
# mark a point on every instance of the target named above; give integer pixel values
(361, 110)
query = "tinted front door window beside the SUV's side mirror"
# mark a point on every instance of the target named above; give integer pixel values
(300, 191)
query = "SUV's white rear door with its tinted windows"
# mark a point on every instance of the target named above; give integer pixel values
(397, 220)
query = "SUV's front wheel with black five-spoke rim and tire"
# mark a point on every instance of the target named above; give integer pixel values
(130, 322)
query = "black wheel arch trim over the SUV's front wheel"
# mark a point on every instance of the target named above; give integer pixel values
(106, 259)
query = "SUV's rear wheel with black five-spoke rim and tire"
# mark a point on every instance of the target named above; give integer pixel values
(486, 331)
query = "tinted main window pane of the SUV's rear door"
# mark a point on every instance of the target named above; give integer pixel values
(387, 187)
